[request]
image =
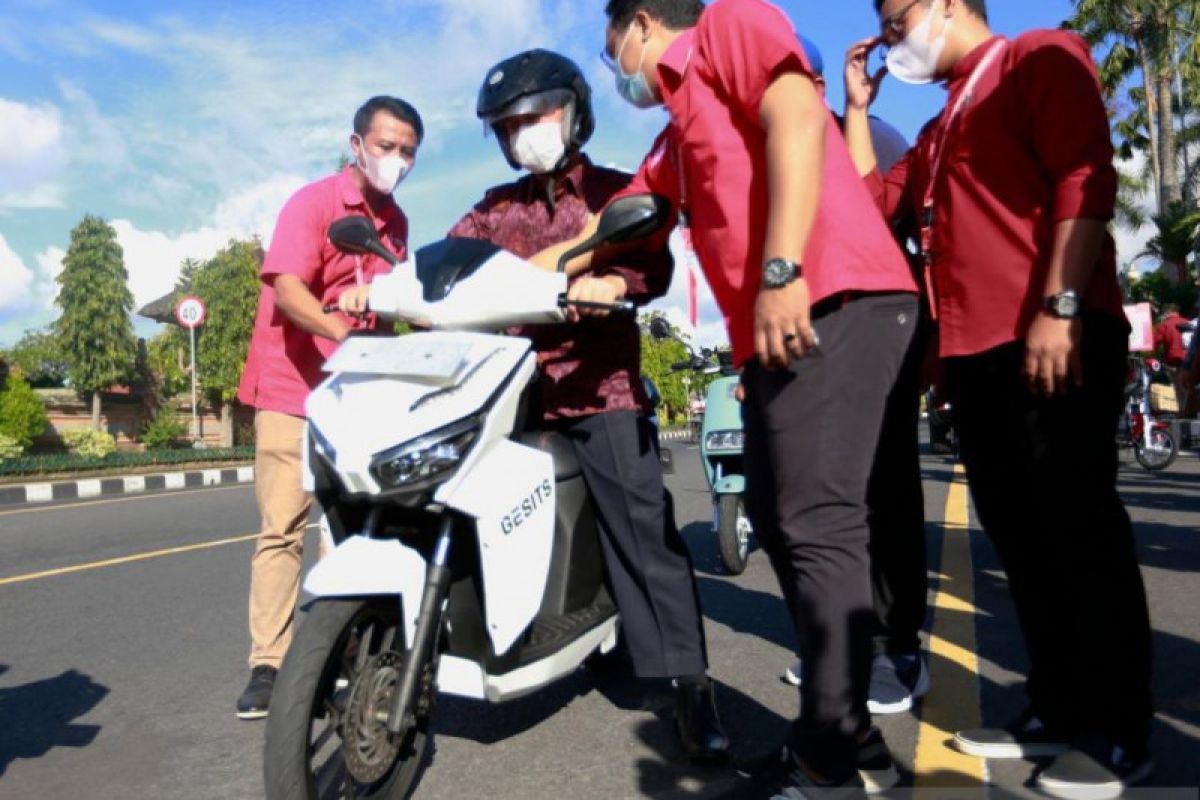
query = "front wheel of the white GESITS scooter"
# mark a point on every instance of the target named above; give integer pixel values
(327, 733)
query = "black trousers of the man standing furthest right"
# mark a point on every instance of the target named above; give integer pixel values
(1043, 477)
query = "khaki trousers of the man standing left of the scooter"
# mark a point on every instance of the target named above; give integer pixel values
(284, 506)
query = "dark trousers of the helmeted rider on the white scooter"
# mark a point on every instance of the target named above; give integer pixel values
(649, 566)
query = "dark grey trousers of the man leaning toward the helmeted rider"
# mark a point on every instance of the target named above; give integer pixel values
(812, 435)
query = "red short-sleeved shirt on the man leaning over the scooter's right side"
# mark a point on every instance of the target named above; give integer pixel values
(713, 79)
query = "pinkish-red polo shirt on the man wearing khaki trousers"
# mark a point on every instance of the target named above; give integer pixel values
(284, 364)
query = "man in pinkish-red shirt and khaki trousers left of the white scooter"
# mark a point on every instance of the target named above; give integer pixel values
(292, 339)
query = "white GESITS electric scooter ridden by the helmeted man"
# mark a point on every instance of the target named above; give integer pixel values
(467, 560)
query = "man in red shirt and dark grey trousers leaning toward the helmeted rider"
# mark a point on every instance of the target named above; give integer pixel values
(820, 308)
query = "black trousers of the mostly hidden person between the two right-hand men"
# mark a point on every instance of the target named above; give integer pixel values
(896, 513)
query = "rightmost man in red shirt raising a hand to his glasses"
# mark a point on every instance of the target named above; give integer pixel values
(1015, 185)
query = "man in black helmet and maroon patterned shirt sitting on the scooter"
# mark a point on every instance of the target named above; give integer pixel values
(539, 107)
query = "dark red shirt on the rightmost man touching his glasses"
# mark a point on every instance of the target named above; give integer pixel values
(1031, 149)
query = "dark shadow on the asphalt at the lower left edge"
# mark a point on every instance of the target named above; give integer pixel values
(38, 718)
